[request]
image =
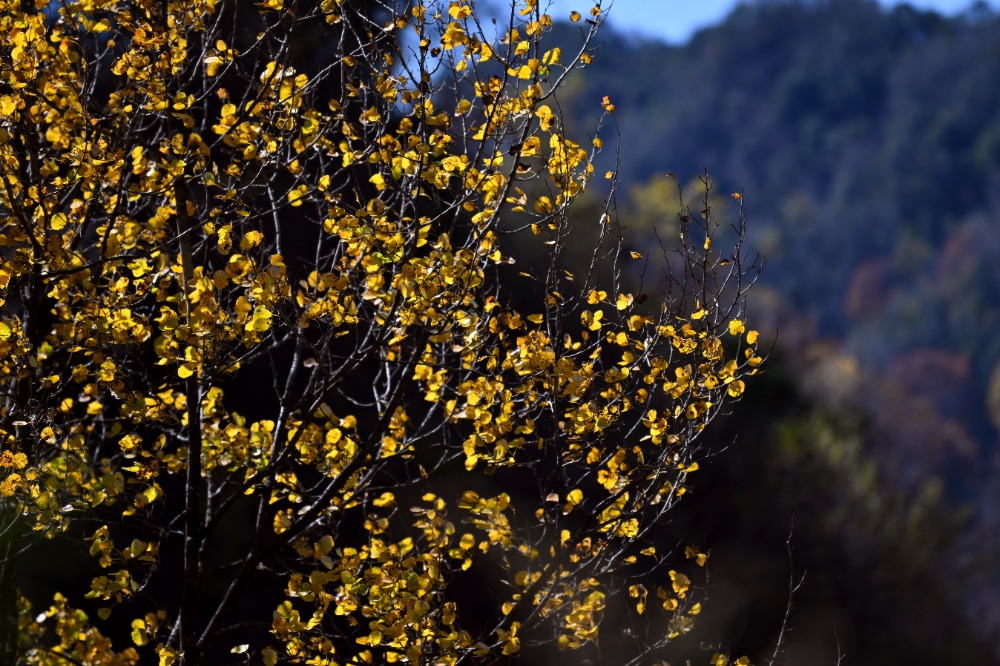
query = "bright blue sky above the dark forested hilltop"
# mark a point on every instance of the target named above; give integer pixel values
(676, 20)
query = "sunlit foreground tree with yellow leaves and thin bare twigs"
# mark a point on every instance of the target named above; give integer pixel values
(271, 369)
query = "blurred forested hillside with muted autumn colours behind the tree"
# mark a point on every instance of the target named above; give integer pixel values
(866, 142)
